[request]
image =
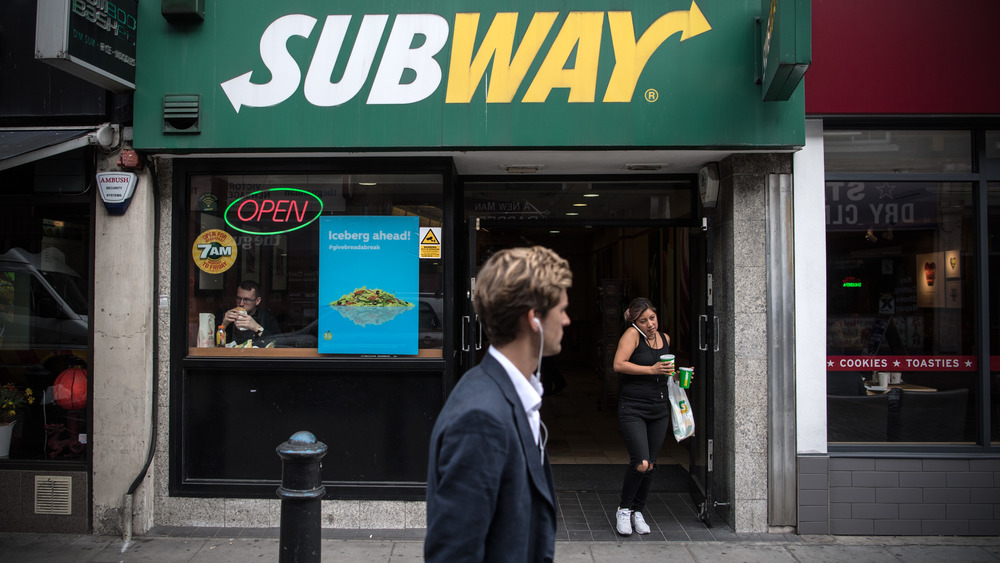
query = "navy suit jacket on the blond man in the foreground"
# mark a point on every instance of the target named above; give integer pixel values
(489, 495)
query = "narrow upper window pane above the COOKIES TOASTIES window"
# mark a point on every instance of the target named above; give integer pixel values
(898, 151)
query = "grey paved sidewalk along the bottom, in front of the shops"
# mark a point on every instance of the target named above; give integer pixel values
(57, 548)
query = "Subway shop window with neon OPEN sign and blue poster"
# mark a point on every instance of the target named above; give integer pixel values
(318, 262)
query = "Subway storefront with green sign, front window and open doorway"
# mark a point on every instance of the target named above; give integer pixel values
(339, 173)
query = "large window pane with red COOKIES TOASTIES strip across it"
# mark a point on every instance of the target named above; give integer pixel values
(901, 363)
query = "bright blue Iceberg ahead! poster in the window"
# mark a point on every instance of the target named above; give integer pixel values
(368, 285)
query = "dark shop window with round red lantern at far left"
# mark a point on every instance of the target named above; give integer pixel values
(45, 273)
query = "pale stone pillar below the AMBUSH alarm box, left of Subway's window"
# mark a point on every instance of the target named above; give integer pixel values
(122, 366)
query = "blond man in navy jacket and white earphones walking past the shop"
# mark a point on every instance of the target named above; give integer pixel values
(490, 495)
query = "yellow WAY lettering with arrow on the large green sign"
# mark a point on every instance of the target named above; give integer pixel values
(581, 31)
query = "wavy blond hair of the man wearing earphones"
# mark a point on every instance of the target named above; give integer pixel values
(515, 280)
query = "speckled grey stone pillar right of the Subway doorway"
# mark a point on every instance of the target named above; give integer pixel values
(741, 363)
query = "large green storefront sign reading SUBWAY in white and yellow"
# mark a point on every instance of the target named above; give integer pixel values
(409, 75)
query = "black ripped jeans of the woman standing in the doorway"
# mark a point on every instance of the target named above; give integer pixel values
(644, 430)
